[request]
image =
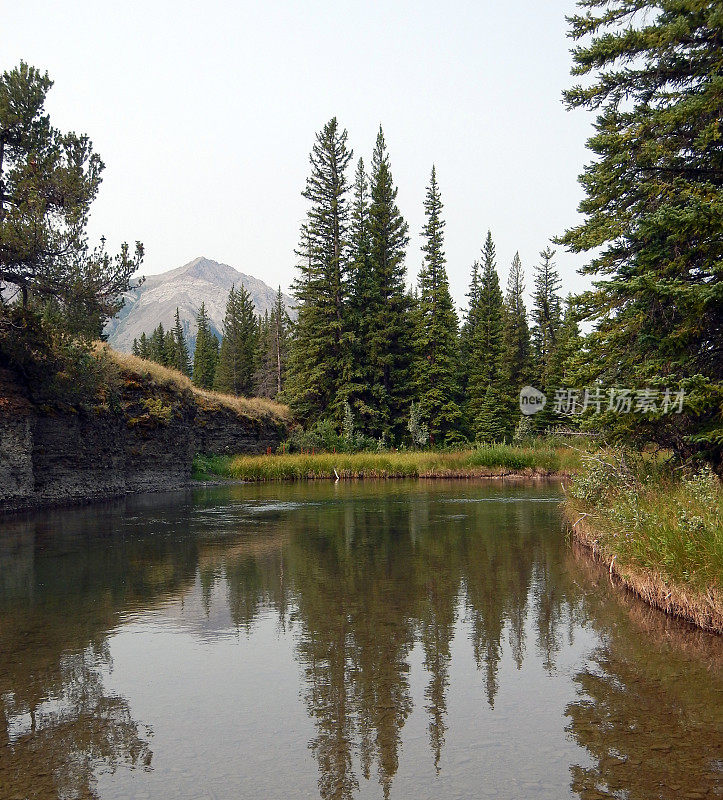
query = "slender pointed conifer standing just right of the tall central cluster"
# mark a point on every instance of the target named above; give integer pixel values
(436, 367)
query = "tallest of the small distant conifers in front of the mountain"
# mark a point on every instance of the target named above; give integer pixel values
(237, 357)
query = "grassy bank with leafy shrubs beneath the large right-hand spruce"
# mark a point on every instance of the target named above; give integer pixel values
(659, 530)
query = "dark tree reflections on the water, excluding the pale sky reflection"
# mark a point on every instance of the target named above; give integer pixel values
(363, 575)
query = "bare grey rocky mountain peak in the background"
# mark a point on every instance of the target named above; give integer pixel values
(201, 280)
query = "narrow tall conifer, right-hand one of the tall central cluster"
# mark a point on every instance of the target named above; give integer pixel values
(389, 352)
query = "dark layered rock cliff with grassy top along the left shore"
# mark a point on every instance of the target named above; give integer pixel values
(144, 440)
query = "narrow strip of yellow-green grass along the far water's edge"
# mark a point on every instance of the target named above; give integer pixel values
(490, 461)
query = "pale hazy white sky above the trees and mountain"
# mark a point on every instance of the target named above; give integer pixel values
(204, 114)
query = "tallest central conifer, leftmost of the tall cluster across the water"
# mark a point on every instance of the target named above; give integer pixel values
(316, 366)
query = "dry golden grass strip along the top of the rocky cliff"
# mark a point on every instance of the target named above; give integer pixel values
(173, 379)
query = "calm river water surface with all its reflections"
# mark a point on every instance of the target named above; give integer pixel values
(372, 640)
